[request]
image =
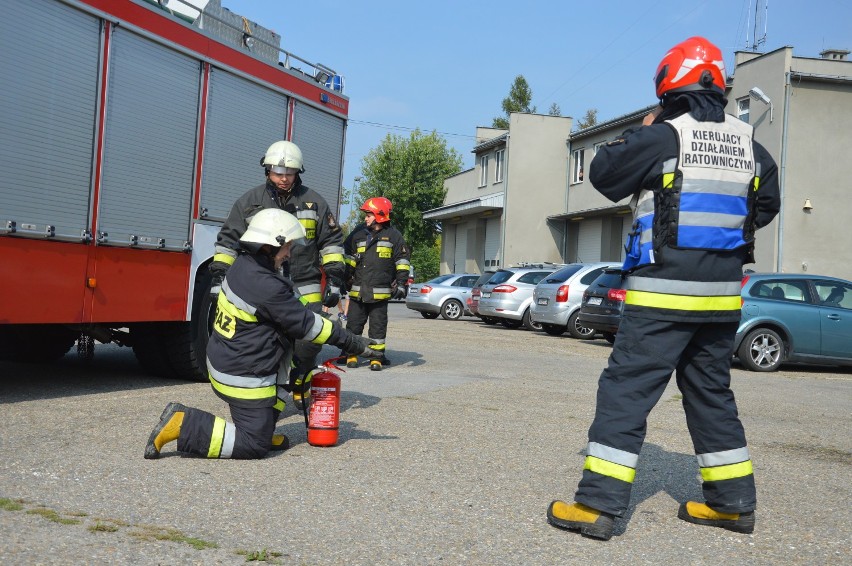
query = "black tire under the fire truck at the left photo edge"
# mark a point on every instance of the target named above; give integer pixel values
(35, 342)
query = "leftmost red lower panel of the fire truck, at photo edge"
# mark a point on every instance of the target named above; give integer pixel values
(41, 281)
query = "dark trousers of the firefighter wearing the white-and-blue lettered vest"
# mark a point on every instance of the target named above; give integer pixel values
(644, 355)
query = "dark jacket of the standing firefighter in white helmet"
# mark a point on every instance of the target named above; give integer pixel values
(323, 247)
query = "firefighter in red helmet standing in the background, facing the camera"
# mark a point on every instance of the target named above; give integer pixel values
(378, 260)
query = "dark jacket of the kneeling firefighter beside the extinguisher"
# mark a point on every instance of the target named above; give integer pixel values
(258, 316)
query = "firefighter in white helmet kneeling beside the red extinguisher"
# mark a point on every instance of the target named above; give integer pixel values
(258, 318)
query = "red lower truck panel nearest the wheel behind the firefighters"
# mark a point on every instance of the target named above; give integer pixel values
(137, 285)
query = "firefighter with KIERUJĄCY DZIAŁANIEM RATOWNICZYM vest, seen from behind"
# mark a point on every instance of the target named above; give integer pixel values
(701, 187)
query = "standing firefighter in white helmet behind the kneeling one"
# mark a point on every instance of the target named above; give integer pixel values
(322, 252)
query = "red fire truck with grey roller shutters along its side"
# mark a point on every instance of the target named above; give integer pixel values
(128, 128)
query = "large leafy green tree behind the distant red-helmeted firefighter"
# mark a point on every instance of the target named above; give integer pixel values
(410, 172)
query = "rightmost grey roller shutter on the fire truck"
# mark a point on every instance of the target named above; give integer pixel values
(320, 136)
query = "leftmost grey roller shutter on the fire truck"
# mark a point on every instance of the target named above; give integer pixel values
(48, 96)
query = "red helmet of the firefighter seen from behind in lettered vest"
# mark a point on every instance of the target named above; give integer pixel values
(694, 64)
